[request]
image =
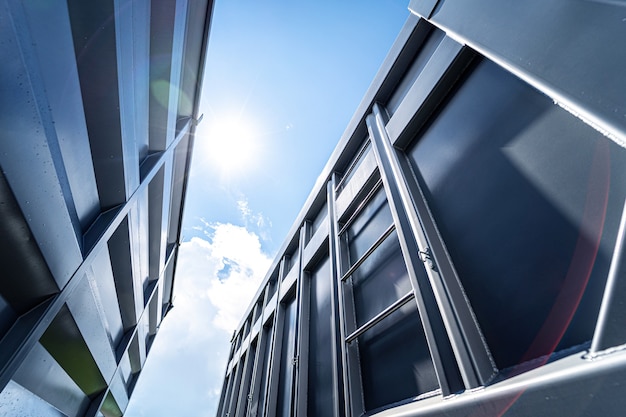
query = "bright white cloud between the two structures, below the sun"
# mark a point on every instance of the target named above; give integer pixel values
(215, 281)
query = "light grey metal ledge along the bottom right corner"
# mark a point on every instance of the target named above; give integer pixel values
(570, 386)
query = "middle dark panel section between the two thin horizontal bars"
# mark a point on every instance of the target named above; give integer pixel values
(380, 280)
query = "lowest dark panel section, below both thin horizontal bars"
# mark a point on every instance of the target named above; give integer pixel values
(395, 360)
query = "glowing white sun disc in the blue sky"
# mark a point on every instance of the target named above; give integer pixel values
(231, 145)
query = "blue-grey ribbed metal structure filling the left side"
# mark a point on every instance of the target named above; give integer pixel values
(98, 107)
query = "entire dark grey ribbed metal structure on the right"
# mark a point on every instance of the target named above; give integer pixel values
(461, 252)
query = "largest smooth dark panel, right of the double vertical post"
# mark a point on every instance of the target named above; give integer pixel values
(527, 199)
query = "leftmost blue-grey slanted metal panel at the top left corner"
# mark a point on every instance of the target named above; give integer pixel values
(33, 164)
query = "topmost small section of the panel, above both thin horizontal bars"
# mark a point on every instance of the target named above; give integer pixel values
(369, 225)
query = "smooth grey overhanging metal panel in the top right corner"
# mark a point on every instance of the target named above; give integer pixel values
(565, 48)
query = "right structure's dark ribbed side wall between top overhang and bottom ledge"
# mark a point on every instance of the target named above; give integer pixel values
(512, 205)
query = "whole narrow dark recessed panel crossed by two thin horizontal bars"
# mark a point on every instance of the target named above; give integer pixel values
(393, 355)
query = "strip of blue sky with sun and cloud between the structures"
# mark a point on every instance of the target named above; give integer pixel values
(283, 79)
